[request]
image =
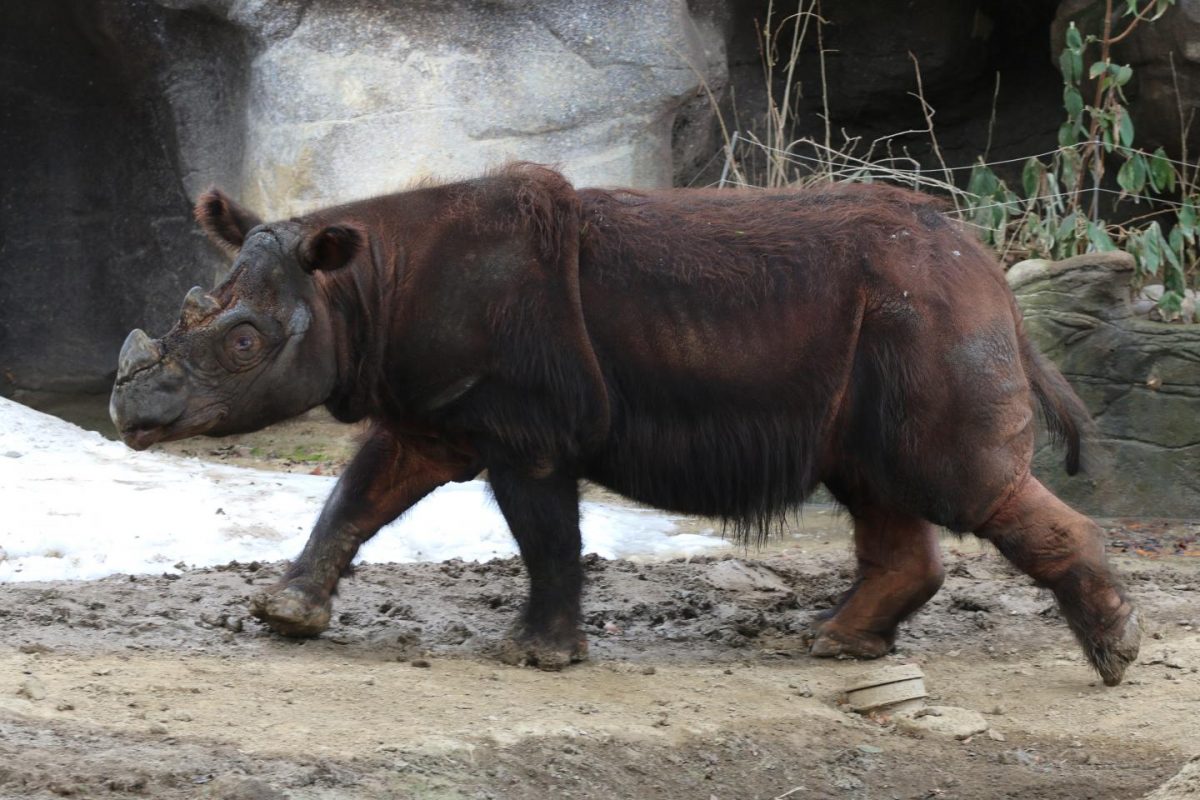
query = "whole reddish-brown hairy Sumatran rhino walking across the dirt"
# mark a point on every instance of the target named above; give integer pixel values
(707, 352)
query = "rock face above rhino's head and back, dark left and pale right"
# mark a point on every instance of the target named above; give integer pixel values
(118, 113)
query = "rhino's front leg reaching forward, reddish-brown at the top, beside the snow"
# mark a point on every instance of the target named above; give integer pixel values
(386, 478)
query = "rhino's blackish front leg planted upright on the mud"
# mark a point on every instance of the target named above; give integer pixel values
(544, 518)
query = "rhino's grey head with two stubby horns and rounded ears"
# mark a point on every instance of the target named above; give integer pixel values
(257, 350)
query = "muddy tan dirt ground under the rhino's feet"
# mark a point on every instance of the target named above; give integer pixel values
(698, 687)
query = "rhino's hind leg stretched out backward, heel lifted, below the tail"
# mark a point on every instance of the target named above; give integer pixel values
(1064, 551)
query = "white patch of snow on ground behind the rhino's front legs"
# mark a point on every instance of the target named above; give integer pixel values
(80, 507)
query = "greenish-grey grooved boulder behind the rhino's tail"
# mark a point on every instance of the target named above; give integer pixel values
(1138, 377)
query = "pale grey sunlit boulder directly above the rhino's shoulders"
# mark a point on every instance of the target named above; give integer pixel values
(355, 99)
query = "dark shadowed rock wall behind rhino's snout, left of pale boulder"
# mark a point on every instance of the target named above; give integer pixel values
(95, 231)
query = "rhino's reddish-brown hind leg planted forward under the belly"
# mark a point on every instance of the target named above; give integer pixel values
(899, 570)
